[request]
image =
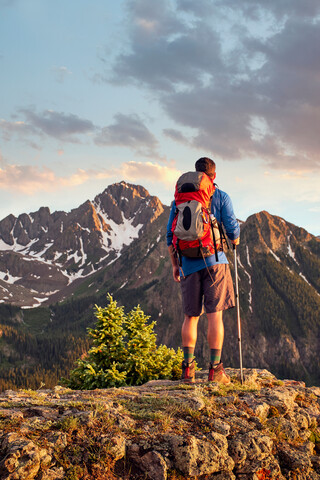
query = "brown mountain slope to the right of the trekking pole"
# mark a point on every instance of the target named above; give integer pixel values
(280, 289)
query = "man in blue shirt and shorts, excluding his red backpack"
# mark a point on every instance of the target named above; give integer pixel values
(196, 277)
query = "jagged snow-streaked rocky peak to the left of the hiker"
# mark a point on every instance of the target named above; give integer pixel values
(59, 248)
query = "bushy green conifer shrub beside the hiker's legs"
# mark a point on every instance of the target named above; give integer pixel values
(124, 352)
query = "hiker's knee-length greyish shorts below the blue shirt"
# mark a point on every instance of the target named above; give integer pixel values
(217, 295)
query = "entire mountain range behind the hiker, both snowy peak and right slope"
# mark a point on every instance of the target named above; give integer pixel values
(105, 251)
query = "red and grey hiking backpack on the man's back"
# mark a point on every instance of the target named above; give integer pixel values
(196, 232)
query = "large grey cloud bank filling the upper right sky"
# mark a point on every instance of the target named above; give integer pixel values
(221, 67)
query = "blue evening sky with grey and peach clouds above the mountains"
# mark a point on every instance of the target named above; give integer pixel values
(94, 92)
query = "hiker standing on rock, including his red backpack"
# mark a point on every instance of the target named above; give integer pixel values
(195, 242)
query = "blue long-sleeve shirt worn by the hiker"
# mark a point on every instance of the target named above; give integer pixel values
(222, 209)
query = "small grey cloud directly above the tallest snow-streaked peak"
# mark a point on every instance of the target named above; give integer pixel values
(128, 131)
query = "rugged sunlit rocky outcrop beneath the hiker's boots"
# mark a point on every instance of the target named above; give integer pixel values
(264, 429)
